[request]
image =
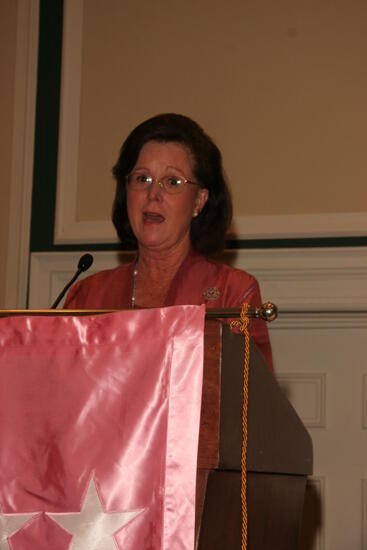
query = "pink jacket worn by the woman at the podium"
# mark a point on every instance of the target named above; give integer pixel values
(197, 281)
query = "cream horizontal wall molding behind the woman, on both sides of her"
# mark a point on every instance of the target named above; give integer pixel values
(313, 288)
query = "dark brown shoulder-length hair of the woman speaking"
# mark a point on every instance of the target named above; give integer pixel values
(209, 228)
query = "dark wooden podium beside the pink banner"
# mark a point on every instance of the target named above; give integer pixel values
(279, 452)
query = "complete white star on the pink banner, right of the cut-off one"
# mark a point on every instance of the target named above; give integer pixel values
(92, 528)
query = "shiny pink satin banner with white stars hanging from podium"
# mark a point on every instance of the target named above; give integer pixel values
(99, 421)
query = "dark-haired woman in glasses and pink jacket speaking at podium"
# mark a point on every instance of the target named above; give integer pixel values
(173, 206)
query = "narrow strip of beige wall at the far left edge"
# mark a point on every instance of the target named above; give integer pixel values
(8, 17)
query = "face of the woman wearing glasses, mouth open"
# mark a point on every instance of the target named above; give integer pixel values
(159, 220)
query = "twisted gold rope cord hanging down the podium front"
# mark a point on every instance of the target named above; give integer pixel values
(242, 326)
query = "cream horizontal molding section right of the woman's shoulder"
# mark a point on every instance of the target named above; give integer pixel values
(312, 279)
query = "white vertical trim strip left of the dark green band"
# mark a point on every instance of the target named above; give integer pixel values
(22, 153)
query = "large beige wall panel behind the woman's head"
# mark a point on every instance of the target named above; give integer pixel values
(281, 86)
